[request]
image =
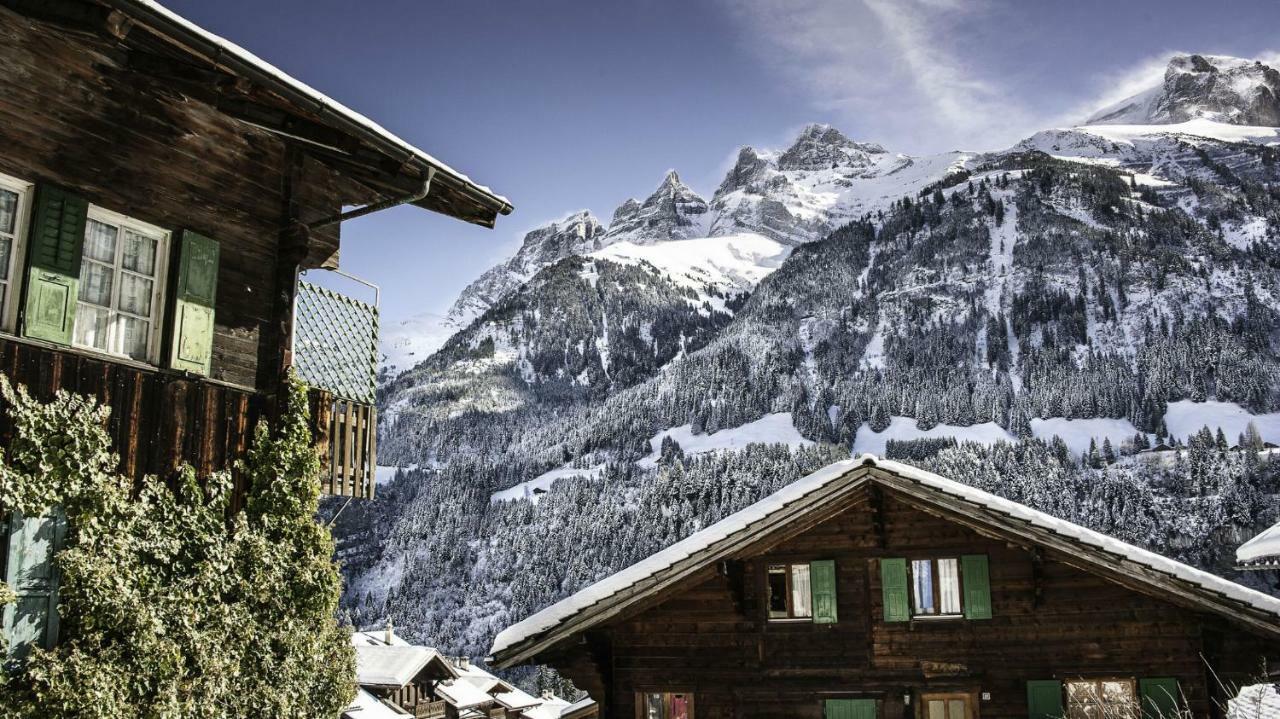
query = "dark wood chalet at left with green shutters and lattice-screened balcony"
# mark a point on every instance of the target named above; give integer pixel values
(161, 193)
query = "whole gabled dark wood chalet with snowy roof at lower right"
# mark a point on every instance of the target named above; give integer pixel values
(872, 589)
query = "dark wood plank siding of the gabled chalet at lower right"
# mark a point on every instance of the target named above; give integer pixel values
(1050, 621)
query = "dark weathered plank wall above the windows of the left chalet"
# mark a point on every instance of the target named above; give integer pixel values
(74, 113)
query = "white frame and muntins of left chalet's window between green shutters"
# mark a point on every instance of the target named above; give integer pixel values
(159, 286)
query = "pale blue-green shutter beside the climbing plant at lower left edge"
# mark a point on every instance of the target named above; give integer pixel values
(33, 575)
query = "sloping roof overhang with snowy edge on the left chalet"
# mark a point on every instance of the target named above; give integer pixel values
(452, 193)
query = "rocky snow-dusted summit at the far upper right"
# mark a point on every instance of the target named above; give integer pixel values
(1215, 88)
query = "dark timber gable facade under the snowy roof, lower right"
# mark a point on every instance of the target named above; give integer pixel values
(1054, 621)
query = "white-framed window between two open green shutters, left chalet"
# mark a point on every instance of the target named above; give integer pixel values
(122, 269)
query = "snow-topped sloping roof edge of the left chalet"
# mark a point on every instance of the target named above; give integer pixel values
(227, 53)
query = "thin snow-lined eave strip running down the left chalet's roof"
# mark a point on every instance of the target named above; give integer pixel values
(241, 62)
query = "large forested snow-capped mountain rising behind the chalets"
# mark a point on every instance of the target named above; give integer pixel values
(1077, 297)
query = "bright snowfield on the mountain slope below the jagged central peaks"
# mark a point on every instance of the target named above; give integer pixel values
(730, 264)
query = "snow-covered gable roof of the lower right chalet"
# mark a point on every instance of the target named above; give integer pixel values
(1091, 551)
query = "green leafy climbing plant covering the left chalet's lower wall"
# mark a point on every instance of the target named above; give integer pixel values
(170, 607)
